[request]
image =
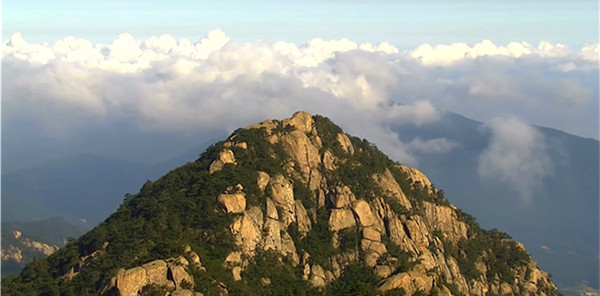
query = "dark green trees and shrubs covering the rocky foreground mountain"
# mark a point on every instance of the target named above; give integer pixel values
(180, 209)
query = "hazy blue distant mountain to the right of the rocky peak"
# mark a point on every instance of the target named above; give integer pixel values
(559, 226)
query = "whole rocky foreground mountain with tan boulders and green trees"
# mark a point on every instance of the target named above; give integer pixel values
(287, 207)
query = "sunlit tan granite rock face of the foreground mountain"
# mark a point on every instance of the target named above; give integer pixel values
(341, 193)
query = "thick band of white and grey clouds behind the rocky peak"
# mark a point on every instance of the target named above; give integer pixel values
(165, 85)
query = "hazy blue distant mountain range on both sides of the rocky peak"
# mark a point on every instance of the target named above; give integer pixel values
(559, 226)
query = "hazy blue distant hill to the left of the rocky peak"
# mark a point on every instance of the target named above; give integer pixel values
(74, 188)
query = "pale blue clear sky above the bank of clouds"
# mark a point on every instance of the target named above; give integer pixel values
(405, 24)
